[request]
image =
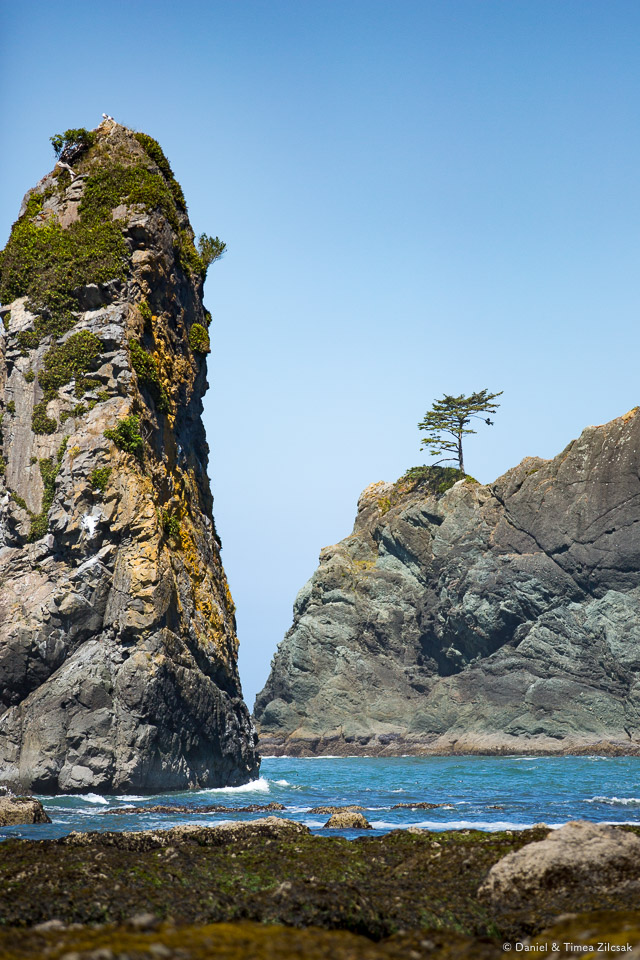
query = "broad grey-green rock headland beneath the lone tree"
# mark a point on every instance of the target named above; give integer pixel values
(486, 619)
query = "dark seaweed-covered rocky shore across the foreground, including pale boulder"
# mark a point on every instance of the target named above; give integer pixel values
(268, 887)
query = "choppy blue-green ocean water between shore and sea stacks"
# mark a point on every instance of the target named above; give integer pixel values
(484, 793)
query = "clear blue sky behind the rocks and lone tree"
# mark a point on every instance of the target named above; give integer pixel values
(417, 197)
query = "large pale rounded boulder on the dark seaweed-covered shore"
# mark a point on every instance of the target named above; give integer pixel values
(580, 855)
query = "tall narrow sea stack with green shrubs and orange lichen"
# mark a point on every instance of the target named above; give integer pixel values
(118, 651)
